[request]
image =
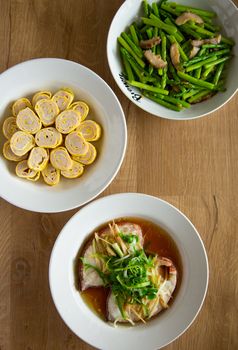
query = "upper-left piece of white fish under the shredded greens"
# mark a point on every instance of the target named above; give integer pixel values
(89, 276)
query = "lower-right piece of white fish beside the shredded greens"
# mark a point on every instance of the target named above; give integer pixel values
(134, 312)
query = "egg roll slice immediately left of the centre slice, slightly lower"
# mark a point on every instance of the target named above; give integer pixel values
(21, 143)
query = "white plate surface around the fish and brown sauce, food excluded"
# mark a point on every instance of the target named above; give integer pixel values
(167, 326)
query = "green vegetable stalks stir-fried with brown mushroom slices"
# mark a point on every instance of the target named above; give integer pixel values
(175, 54)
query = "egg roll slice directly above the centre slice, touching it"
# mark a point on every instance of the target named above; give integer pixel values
(47, 110)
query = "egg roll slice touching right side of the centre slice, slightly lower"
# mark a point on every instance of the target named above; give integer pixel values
(76, 144)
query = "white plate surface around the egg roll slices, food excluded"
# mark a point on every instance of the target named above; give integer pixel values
(51, 74)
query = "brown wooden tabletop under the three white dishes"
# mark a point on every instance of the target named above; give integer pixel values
(194, 166)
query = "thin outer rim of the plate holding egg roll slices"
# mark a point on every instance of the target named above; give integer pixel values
(22, 64)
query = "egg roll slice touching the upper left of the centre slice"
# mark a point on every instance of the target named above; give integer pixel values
(28, 121)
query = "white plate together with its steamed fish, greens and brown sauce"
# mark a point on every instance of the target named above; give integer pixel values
(131, 267)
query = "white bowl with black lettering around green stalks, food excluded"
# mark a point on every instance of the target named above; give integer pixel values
(131, 11)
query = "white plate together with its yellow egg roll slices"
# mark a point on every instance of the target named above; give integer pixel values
(50, 109)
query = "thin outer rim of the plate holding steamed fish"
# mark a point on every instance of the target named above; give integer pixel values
(87, 207)
